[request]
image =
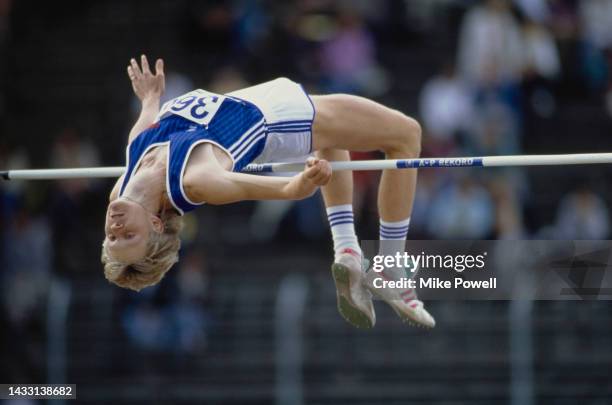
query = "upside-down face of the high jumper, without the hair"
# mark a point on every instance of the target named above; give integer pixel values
(128, 227)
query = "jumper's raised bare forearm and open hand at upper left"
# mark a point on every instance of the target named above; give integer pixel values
(148, 87)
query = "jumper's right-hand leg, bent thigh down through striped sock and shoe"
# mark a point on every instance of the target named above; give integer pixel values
(355, 123)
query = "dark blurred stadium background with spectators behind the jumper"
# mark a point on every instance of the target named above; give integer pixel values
(248, 316)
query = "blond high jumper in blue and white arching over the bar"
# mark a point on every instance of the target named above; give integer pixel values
(190, 152)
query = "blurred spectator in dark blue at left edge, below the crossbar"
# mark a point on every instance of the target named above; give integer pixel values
(25, 267)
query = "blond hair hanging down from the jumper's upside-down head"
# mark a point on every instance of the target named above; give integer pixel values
(162, 253)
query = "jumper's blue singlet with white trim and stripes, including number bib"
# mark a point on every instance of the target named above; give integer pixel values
(234, 125)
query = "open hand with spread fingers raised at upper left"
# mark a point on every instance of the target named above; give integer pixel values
(147, 85)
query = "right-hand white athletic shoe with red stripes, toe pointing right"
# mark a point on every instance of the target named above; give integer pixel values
(403, 301)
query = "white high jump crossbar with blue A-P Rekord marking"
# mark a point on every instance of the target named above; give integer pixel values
(422, 163)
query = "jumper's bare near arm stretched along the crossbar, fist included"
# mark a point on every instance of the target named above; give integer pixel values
(227, 187)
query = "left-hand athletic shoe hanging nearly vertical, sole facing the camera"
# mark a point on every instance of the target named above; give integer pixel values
(354, 300)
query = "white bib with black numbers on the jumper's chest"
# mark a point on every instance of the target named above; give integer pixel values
(198, 106)
